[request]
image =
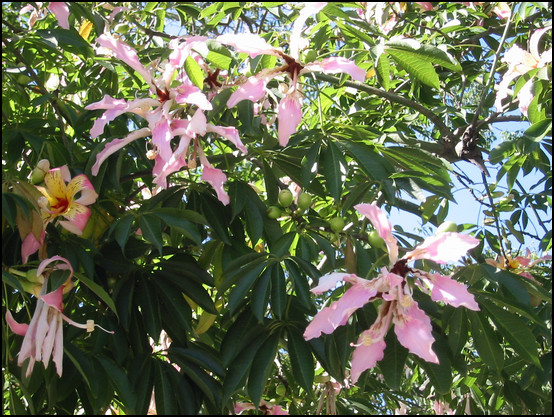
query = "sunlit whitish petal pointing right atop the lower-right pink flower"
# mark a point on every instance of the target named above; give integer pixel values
(443, 248)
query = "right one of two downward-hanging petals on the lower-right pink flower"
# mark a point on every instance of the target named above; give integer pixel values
(413, 329)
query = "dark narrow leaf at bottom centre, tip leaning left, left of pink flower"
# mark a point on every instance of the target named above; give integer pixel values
(261, 368)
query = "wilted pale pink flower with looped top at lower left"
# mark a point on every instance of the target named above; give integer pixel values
(43, 336)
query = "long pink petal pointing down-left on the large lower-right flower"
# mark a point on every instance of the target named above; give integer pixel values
(337, 314)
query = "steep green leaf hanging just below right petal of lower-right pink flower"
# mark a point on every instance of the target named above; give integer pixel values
(485, 341)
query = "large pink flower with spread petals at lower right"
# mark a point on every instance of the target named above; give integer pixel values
(411, 325)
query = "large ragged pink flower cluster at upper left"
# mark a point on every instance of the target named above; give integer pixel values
(164, 115)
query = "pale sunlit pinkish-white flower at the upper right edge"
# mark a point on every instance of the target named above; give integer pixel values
(520, 62)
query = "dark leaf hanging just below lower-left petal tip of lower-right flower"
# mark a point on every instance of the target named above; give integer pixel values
(301, 359)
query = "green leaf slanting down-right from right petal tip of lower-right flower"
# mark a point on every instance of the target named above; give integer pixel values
(516, 333)
